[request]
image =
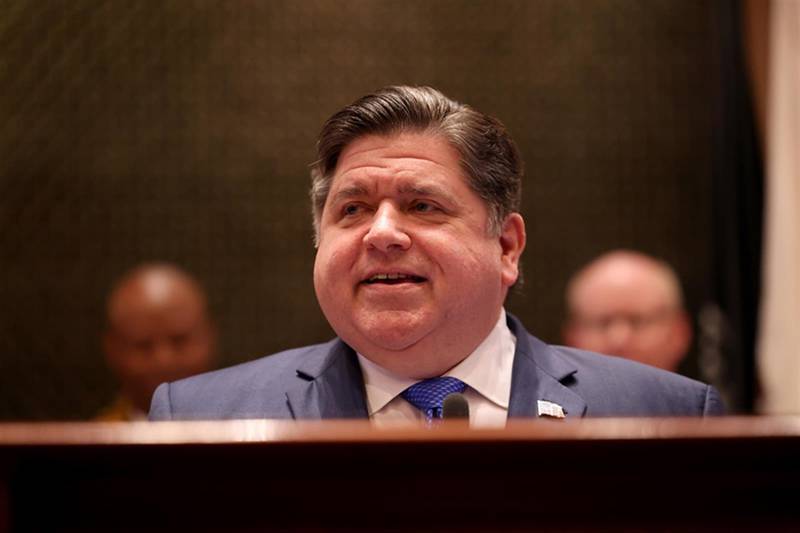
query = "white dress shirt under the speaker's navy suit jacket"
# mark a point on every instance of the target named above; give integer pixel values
(486, 372)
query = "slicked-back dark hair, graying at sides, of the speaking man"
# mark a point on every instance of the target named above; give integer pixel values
(489, 156)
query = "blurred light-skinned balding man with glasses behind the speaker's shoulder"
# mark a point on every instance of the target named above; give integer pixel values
(628, 304)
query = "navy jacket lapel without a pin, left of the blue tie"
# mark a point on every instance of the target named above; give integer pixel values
(328, 385)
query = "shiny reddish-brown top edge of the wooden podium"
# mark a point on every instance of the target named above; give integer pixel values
(349, 431)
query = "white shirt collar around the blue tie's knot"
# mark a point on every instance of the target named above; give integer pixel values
(487, 370)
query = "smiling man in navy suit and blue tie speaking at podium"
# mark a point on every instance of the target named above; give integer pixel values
(418, 232)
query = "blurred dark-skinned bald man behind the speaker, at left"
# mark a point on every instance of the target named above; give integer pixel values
(158, 330)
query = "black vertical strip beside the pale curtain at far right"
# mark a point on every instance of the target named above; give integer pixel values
(728, 323)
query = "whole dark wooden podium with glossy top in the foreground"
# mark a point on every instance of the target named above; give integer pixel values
(602, 474)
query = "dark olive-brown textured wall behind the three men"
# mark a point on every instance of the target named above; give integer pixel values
(183, 131)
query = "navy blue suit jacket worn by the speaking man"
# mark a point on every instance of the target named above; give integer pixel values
(325, 381)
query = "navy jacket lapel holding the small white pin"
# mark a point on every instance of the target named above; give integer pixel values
(539, 373)
